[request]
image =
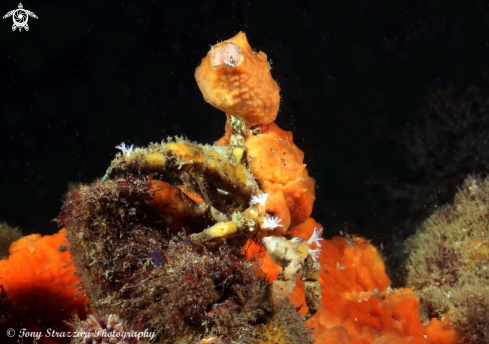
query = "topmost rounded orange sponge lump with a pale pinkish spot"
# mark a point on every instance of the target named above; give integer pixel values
(237, 81)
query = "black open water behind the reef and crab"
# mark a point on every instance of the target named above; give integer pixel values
(379, 94)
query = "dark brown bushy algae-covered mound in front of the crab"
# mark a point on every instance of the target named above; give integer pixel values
(155, 278)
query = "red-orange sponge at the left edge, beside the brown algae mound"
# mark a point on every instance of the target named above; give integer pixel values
(39, 282)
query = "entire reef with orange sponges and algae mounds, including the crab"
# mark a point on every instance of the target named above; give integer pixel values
(210, 244)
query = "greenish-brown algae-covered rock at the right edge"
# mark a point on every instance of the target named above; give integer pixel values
(449, 262)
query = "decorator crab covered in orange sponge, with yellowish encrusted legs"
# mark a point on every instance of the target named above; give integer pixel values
(252, 182)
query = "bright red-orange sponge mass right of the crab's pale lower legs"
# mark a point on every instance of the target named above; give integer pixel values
(358, 306)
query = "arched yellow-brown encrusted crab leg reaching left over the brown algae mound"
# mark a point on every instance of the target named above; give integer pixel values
(198, 165)
